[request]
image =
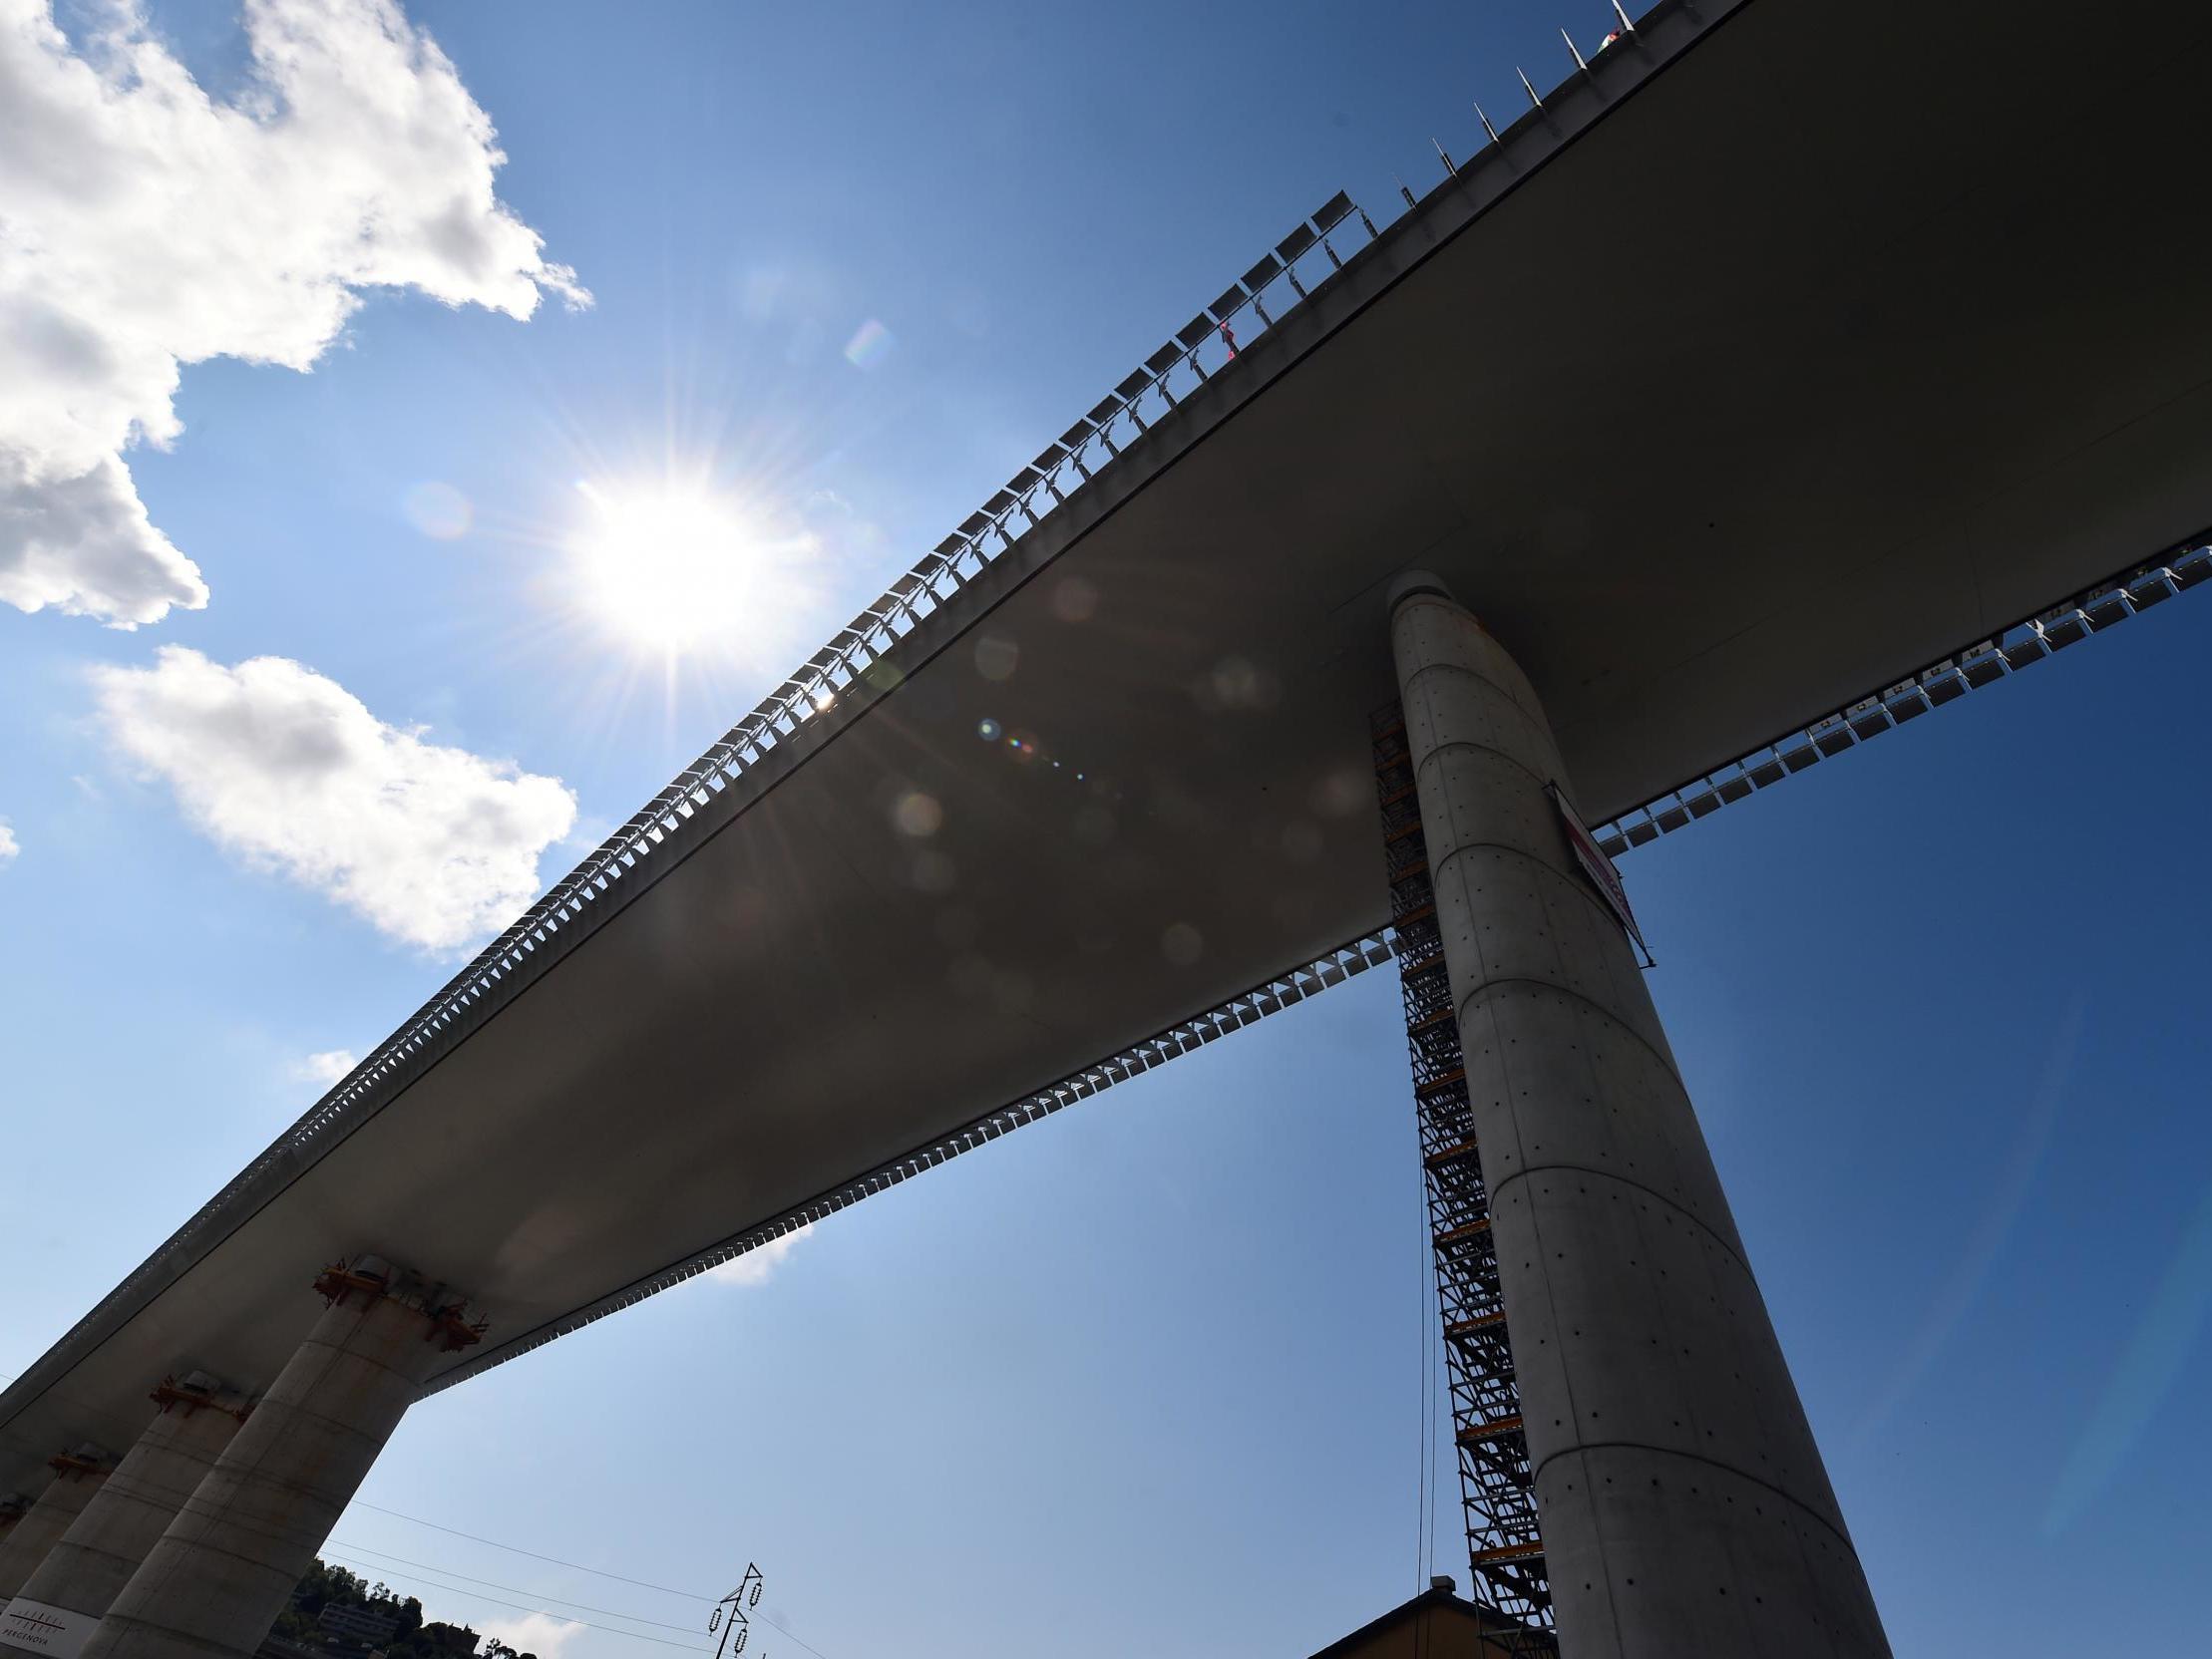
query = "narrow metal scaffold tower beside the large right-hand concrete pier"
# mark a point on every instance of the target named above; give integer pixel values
(1496, 1483)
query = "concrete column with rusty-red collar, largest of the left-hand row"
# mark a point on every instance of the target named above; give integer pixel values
(227, 1565)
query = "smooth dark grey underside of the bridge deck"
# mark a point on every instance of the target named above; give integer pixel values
(1848, 340)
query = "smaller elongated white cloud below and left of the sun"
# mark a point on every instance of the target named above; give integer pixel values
(293, 773)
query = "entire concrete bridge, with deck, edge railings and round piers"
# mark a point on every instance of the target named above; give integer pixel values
(1784, 375)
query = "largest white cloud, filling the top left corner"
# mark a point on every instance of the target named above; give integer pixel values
(147, 227)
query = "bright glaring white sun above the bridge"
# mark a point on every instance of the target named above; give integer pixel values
(676, 567)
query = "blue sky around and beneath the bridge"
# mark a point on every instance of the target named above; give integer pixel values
(1151, 1373)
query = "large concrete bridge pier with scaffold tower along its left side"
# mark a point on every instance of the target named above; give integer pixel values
(1680, 1494)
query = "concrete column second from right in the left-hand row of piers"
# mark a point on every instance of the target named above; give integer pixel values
(59, 1607)
